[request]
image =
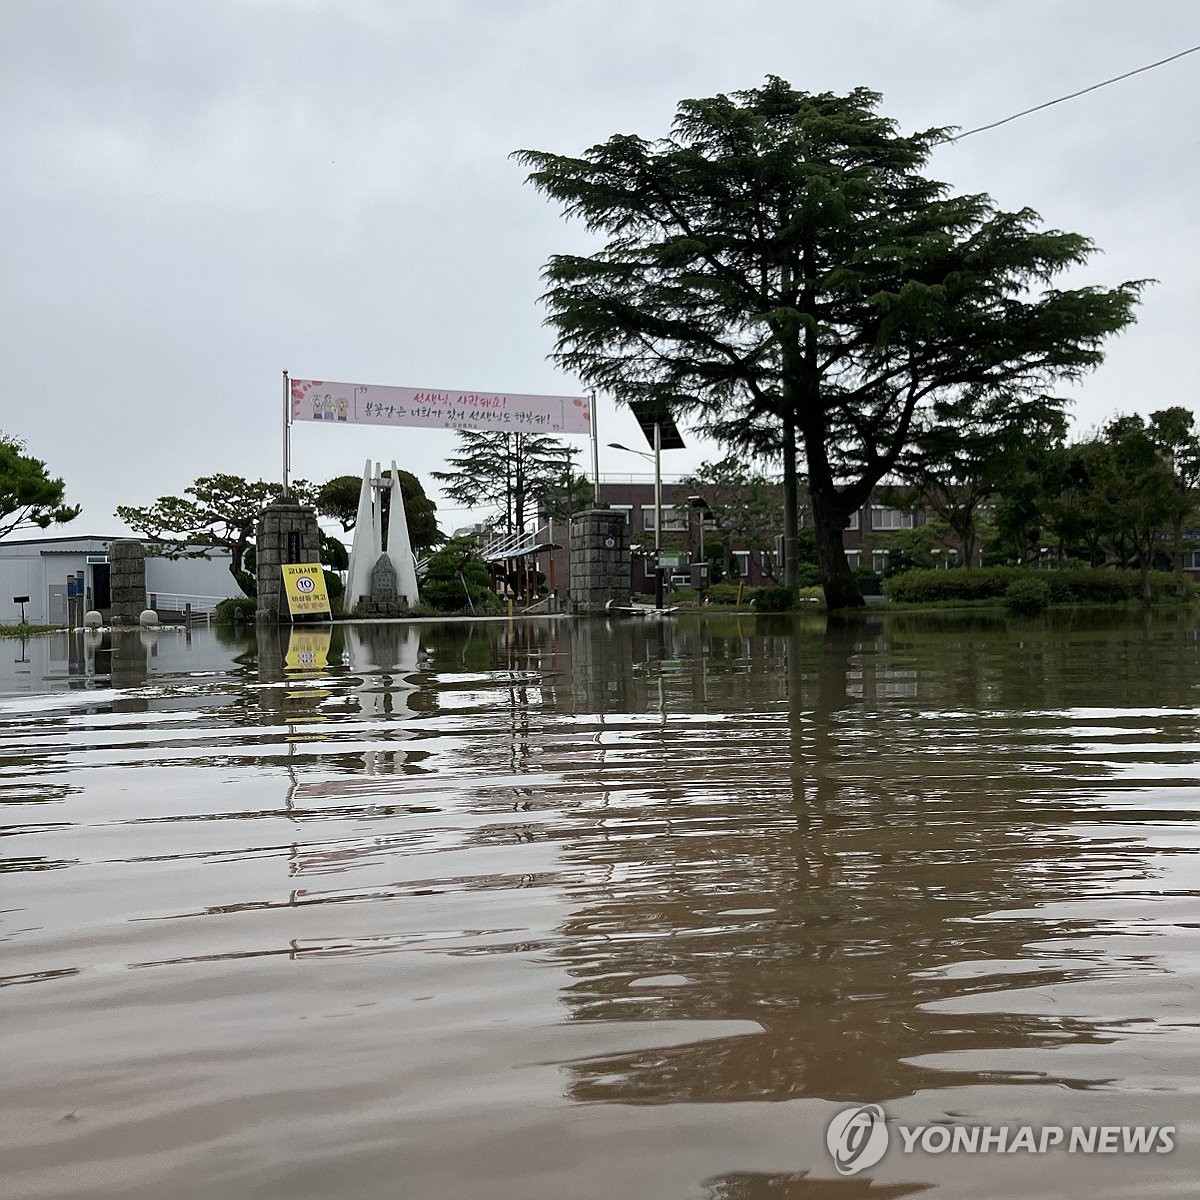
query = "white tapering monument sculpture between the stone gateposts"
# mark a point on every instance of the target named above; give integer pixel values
(381, 583)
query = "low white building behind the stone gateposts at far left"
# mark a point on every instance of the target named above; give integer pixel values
(40, 569)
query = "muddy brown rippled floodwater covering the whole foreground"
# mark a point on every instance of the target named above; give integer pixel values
(597, 910)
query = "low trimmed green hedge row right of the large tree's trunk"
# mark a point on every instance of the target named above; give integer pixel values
(1072, 586)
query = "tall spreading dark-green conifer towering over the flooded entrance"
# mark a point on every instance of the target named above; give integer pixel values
(779, 266)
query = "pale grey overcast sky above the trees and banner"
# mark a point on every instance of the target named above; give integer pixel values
(201, 195)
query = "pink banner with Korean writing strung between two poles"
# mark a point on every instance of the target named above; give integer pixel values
(356, 404)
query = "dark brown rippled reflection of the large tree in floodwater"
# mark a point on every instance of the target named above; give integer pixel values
(831, 879)
